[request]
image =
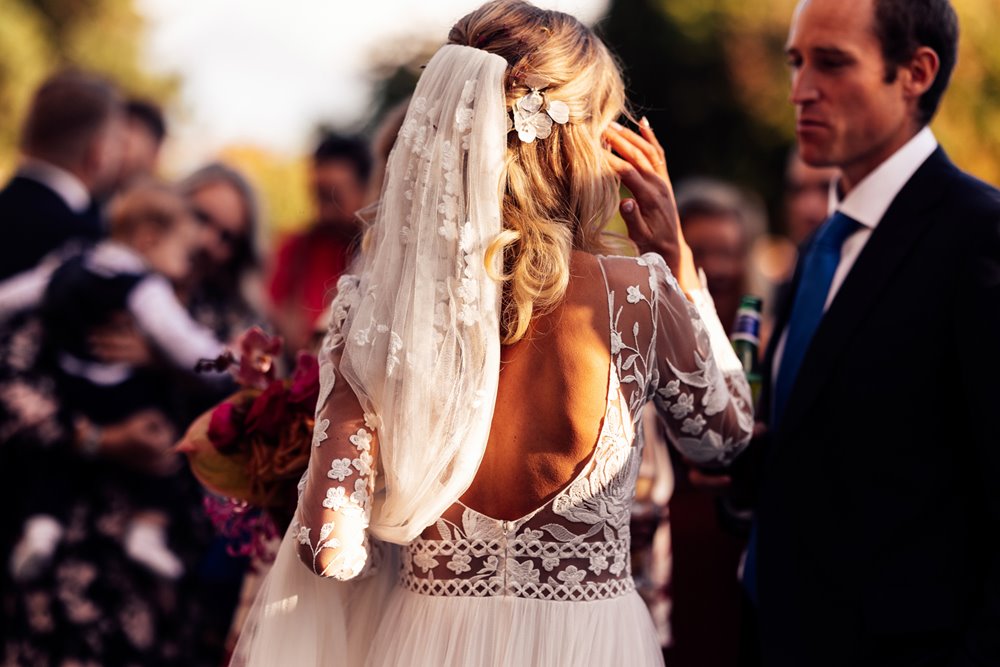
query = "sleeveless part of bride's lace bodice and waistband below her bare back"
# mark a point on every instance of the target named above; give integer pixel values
(574, 547)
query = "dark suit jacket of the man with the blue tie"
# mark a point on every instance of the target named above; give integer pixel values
(879, 509)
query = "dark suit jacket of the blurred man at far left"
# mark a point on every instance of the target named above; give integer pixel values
(34, 221)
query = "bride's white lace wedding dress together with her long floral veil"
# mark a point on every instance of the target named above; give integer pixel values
(412, 581)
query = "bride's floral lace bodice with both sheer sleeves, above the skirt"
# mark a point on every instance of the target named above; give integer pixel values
(662, 347)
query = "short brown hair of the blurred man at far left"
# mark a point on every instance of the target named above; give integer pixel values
(66, 113)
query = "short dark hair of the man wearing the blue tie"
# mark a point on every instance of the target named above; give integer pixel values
(903, 26)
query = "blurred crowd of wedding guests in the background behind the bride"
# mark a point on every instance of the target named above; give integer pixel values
(114, 283)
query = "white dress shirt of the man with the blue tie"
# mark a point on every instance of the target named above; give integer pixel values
(867, 203)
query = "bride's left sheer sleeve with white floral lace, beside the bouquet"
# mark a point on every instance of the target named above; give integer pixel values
(335, 495)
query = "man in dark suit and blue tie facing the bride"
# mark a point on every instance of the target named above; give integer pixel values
(877, 536)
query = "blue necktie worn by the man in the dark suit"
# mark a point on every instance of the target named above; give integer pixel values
(818, 267)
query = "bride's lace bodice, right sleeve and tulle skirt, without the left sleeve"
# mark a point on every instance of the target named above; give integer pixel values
(554, 587)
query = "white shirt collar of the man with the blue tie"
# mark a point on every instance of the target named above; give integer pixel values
(871, 198)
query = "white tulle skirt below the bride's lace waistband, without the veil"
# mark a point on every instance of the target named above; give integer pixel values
(424, 631)
